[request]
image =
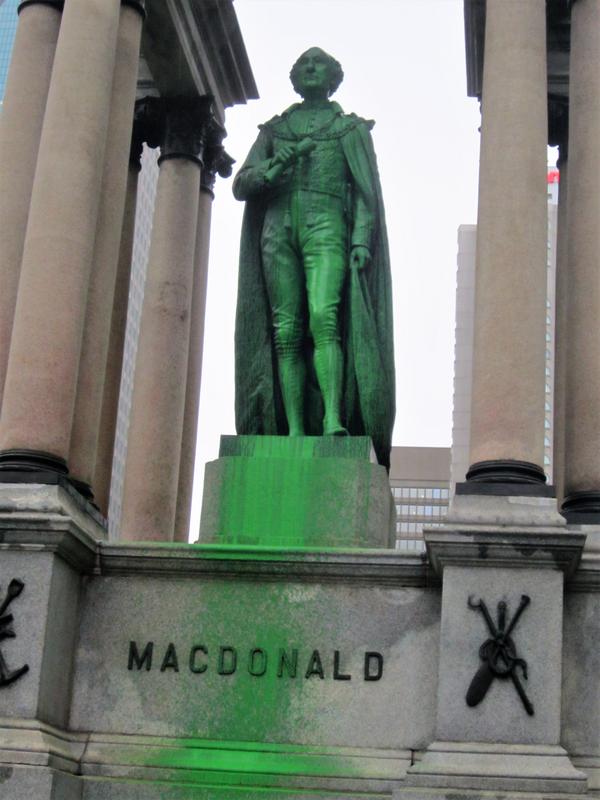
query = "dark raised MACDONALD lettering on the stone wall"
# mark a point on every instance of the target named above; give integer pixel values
(257, 662)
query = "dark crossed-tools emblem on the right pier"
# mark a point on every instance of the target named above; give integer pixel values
(499, 654)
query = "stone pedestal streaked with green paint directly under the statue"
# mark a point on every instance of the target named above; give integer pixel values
(311, 491)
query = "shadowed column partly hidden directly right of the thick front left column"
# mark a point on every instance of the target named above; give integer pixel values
(88, 403)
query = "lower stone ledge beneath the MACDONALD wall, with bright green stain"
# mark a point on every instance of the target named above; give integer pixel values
(199, 762)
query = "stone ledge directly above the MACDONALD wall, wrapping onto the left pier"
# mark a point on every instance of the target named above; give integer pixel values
(170, 559)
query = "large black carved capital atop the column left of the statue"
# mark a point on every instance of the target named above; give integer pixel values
(180, 126)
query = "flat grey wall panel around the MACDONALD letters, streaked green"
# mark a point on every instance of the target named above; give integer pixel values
(291, 612)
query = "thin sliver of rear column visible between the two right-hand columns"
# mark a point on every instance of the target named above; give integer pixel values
(561, 138)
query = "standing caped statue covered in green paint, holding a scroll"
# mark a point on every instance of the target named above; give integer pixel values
(314, 340)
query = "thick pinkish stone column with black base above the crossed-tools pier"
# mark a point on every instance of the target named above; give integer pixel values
(507, 444)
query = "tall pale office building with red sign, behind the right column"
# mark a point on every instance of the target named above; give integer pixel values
(463, 344)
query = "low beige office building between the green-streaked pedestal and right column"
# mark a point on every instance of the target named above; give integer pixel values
(420, 482)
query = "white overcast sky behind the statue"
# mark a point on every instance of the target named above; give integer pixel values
(404, 67)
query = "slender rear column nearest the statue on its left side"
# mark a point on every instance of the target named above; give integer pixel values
(215, 161)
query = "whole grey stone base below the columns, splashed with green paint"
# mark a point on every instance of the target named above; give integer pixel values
(83, 717)
